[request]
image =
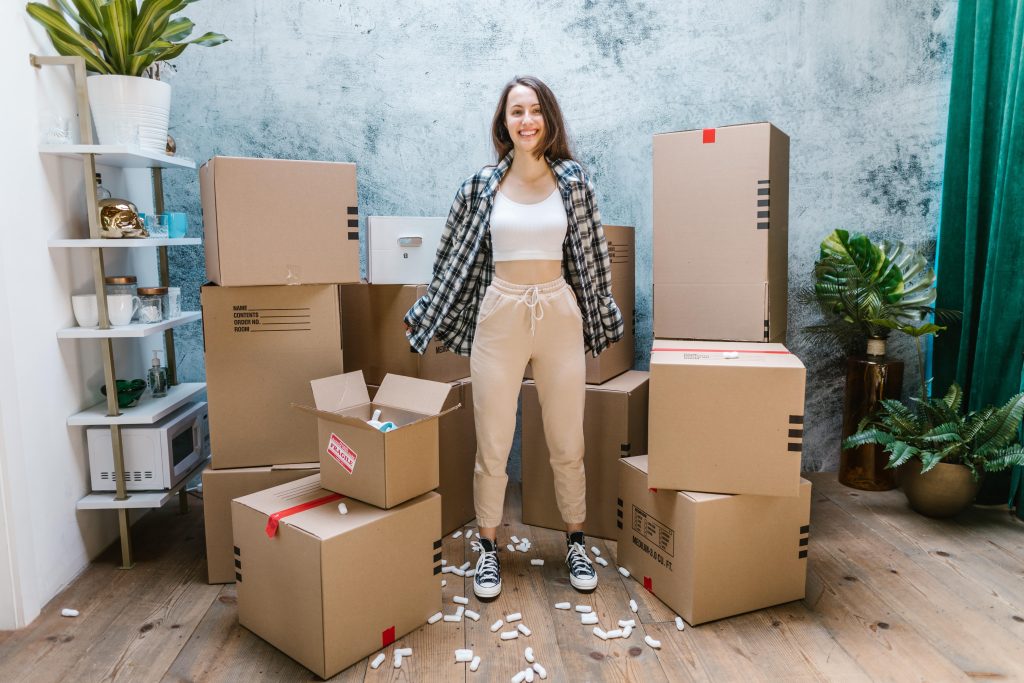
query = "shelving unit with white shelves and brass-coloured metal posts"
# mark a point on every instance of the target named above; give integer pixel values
(149, 410)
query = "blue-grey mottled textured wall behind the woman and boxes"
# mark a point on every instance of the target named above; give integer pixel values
(406, 90)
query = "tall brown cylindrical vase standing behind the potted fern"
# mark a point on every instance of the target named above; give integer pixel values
(869, 379)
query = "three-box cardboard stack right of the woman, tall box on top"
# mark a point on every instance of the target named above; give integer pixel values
(715, 520)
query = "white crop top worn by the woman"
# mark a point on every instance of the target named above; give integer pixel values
(529, 232)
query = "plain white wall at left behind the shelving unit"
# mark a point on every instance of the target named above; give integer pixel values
(45, 542)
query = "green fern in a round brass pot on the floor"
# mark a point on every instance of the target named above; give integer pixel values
(946, 450)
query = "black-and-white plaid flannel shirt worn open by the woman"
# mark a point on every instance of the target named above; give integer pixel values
(464, 265)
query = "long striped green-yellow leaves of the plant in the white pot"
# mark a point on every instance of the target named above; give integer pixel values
(120, 37)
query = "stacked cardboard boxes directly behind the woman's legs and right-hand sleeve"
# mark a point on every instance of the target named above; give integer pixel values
(615, 416)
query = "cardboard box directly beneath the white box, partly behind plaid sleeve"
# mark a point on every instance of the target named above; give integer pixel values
(375, 339)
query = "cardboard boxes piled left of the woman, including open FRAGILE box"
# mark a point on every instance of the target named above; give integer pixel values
(328, 526)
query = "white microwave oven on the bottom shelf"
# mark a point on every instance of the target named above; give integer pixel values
(157, 456)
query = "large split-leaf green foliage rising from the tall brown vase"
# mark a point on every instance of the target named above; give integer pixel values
(867, 290)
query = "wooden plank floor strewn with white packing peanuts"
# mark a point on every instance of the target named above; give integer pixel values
(891, 596)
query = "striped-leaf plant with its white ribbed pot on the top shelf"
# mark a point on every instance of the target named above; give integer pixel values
(122, 42)
